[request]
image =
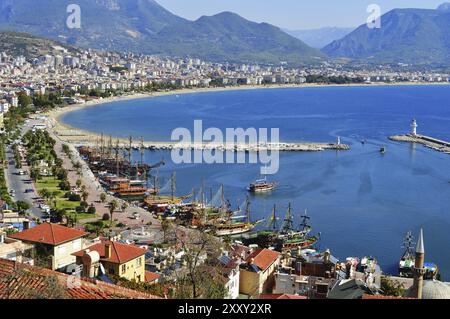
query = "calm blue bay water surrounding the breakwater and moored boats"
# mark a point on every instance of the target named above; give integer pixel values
(329, 183)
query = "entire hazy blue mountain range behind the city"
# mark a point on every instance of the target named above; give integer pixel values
(414, 36)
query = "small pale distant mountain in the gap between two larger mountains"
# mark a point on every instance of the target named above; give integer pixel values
(319, 38)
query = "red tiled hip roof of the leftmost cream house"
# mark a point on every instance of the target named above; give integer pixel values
(46, 233)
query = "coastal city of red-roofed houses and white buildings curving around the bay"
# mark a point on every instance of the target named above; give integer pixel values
(68, 209)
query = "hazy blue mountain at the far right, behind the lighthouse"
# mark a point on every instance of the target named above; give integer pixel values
(406, 35)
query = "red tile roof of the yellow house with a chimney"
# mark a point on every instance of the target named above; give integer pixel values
(120, 253)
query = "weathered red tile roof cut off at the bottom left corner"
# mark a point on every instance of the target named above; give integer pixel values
(20, 281)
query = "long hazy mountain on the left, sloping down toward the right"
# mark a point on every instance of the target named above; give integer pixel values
(146, 27)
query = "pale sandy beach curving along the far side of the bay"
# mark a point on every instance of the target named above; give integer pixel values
(79, 136)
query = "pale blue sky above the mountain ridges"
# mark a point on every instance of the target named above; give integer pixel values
(294, 14)
